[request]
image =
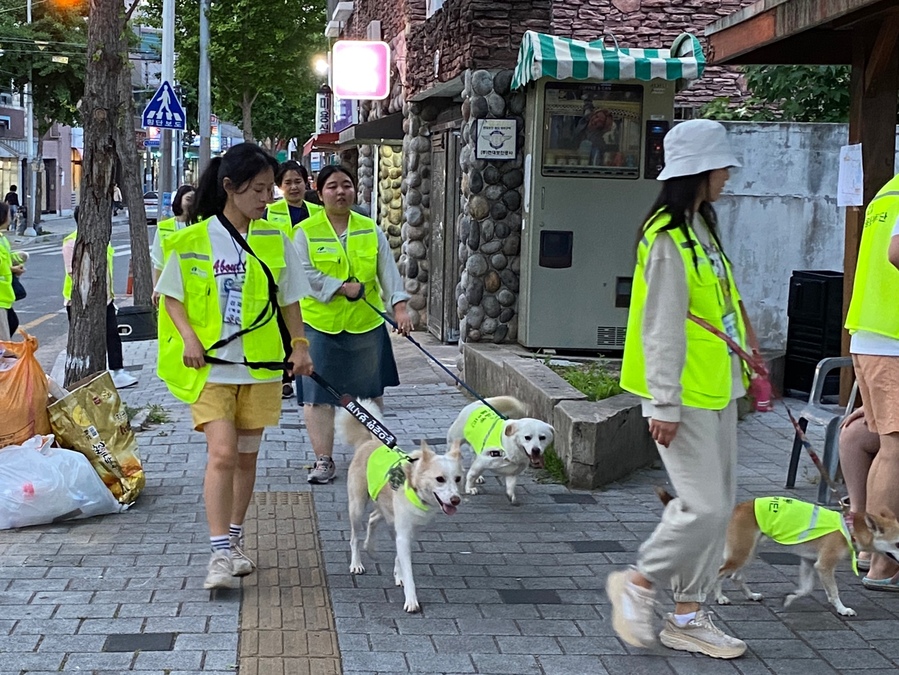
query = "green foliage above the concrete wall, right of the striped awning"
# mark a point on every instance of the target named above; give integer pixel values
(789, 94)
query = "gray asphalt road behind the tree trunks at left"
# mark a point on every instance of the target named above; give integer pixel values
(42, 313)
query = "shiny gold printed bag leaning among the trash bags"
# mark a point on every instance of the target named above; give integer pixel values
(92, 420)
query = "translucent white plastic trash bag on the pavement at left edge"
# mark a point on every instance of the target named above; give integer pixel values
(40, 484)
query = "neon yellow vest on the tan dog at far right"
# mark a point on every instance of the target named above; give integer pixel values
(790, 521)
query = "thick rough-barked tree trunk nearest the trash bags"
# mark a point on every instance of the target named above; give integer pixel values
(86, 352)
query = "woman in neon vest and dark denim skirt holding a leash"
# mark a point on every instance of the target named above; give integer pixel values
(351, 268)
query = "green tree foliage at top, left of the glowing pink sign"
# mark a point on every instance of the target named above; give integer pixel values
(260, 53)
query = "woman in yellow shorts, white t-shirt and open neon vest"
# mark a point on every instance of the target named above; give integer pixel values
(224, 282)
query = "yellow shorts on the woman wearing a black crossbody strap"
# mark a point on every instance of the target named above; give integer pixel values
(249, 406)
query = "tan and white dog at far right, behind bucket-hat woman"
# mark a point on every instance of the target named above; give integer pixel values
(817, 535)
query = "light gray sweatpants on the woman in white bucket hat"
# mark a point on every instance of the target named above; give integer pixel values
(686, 549)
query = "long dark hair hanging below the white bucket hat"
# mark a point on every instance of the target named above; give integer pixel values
(677, 198)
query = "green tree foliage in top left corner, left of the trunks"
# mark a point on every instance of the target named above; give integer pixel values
(57, 30)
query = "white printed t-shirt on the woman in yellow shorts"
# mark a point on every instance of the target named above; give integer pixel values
(229, 265)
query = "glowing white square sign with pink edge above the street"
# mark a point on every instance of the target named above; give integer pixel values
(361, 69)
